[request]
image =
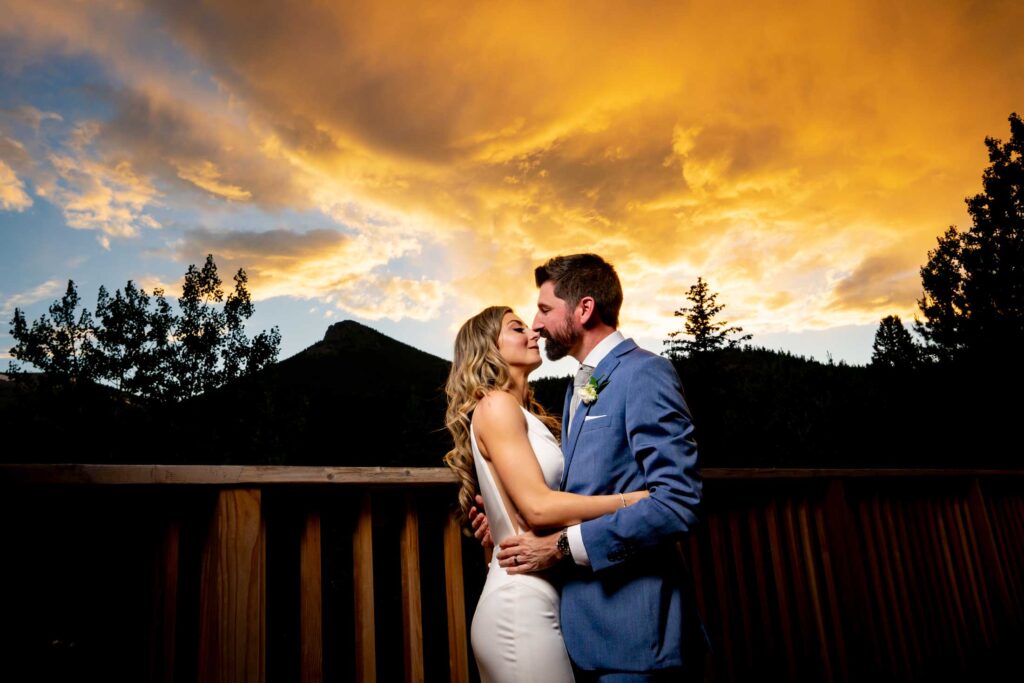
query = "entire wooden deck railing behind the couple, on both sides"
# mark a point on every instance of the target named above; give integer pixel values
(253, 574)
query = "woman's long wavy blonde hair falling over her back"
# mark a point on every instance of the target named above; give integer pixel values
(478, 370)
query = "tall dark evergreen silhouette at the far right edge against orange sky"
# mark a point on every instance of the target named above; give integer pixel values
(973, 283)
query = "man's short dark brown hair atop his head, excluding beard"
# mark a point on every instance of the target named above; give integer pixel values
(578, 276)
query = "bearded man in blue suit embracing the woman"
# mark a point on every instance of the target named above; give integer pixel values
(628, 610)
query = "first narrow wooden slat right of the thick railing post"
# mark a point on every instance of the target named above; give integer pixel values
(311, 602)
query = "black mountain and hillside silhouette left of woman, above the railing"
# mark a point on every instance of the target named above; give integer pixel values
(357, 398)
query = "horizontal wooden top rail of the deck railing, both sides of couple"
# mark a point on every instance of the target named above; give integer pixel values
(260, 476)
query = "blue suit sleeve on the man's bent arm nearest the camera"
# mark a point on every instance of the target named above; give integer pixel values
(660, 433)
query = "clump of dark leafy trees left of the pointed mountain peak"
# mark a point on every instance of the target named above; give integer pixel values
(153, 355)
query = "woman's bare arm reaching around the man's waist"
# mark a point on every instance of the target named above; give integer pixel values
(501, 429)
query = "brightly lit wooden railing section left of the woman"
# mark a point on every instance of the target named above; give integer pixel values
(231, 508)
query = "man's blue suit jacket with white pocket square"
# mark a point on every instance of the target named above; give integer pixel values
(634, 610)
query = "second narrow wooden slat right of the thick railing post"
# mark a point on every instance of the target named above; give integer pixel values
(363, 573)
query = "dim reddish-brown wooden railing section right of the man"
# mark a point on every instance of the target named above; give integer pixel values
(862, 575)
